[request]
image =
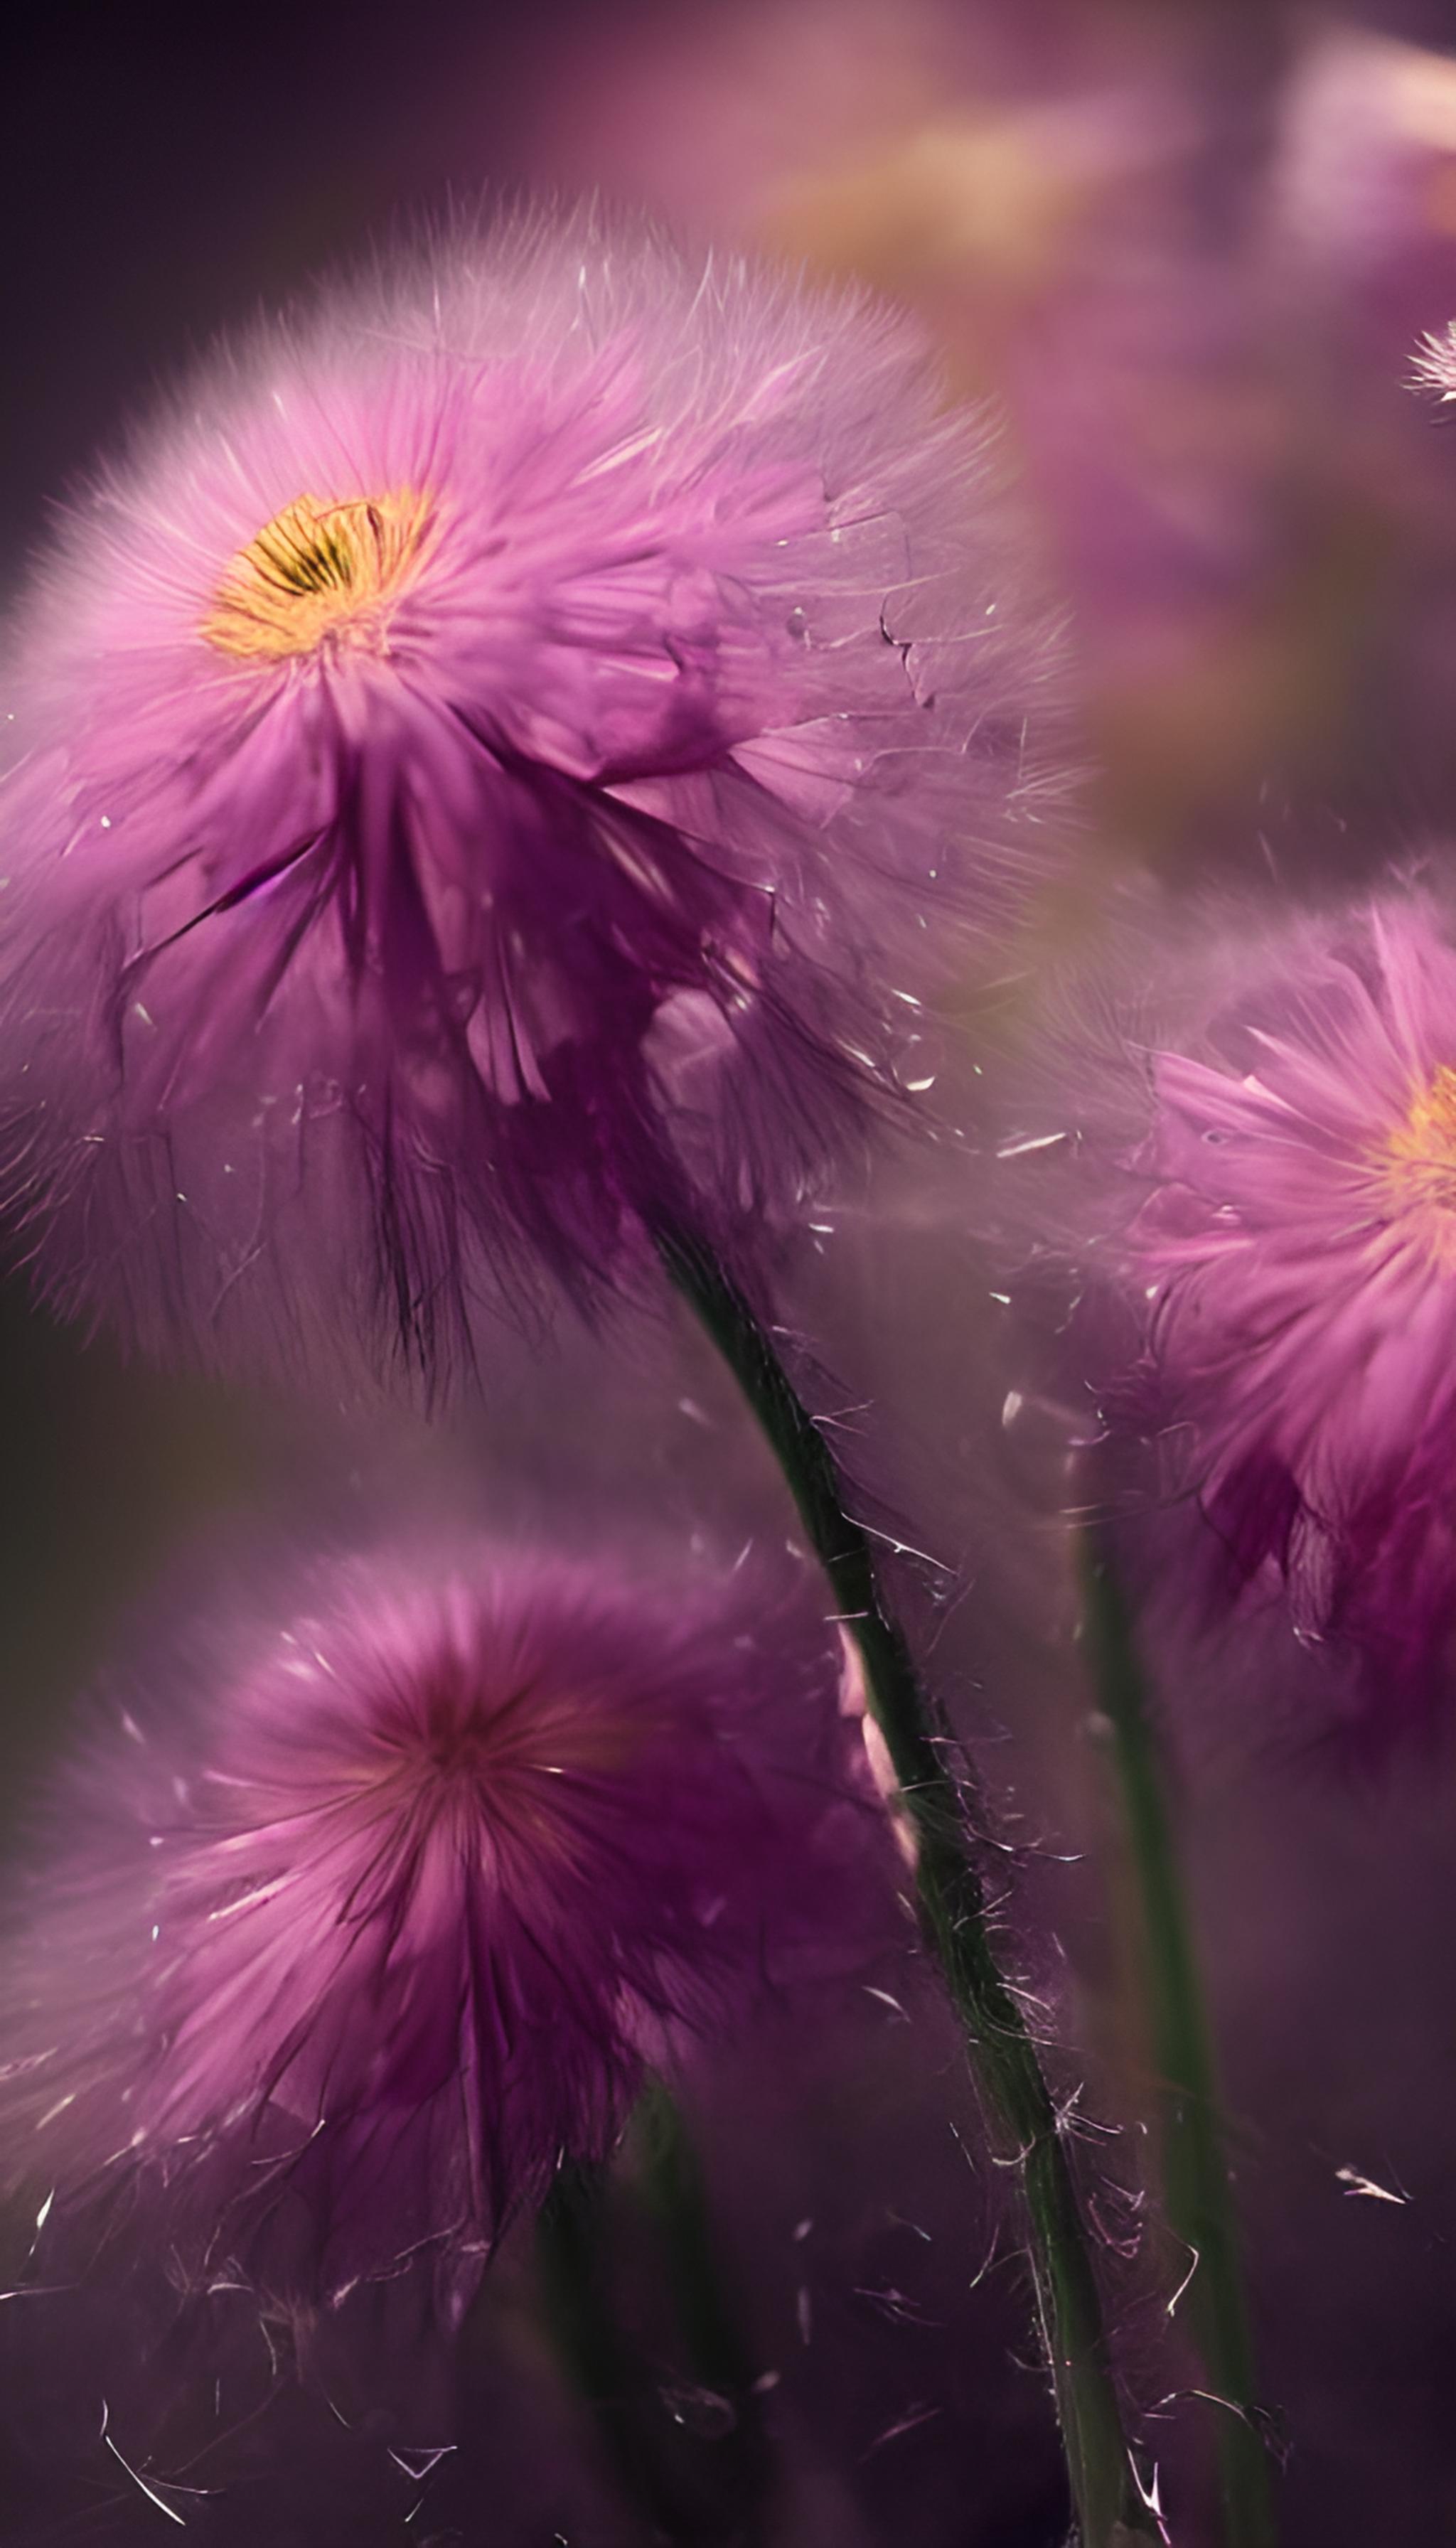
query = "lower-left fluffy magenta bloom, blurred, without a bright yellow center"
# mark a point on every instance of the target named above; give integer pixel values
(343, 1948)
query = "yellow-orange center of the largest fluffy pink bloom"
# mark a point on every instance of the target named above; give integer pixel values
(317, 572)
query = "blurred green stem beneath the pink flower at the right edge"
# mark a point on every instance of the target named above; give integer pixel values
(1195, 2167)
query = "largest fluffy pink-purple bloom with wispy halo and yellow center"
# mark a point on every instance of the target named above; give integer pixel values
(499, 766)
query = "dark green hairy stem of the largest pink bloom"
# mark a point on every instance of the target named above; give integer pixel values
(952, 1905)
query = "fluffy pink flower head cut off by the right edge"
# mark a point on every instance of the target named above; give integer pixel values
(1299, 1260)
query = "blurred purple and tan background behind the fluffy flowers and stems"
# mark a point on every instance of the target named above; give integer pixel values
(1190, 251)
